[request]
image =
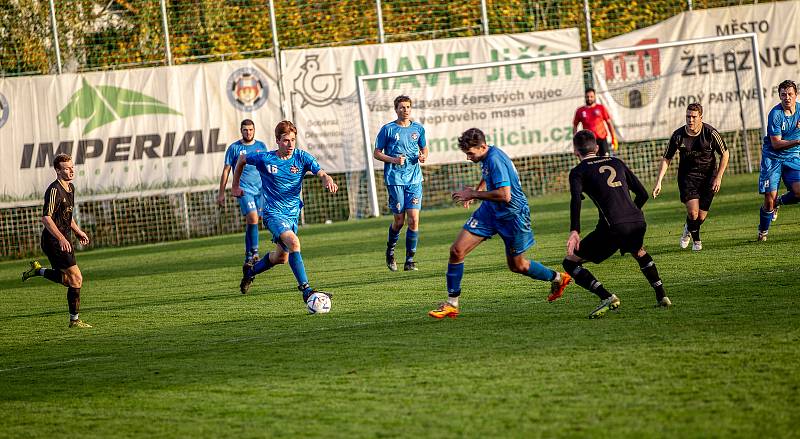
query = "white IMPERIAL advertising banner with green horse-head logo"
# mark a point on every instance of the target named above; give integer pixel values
(131, 130)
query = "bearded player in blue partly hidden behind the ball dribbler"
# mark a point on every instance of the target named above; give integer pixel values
(251, 202)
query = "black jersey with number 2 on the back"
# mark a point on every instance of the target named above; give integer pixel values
(608, 182)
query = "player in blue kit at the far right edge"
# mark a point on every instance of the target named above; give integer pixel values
(780, 157)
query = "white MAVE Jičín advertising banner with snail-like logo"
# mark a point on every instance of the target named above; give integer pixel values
(525, 109)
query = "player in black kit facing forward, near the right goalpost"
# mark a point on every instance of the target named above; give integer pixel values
(699, 177)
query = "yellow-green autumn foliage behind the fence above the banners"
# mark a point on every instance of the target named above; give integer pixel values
(102, 34)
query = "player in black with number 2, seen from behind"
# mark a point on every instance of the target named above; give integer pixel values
(608, 183)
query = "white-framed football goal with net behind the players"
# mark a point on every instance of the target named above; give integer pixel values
(526, 107)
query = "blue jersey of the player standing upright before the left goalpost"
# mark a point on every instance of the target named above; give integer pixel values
(395, 140)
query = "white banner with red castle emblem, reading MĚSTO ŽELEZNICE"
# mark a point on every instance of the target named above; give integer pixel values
(647, 91)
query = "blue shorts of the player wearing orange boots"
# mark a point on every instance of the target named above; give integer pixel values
(515, 231)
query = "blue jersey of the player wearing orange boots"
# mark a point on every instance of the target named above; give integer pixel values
(499, 171)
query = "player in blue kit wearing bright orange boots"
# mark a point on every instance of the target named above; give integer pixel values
(504, 211)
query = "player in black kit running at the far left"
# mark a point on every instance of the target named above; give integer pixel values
(59, 201)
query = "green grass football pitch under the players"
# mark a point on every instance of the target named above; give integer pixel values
(176, 351)
